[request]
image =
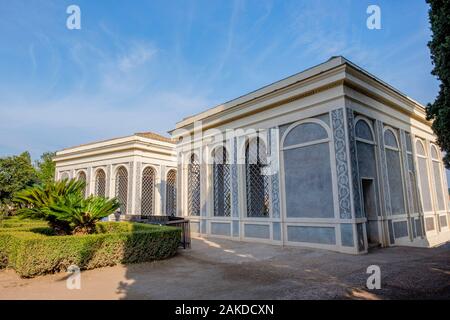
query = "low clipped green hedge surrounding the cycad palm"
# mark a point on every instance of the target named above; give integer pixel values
(34, 251)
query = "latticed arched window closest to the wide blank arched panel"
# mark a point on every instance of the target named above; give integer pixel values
(256, 179)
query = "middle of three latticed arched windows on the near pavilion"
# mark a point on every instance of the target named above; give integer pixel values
(221, 183)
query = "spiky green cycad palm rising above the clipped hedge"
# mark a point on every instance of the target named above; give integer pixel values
(63, 205)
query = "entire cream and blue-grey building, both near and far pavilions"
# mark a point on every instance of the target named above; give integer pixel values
(331, 157)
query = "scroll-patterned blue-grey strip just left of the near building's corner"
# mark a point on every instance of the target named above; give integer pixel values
(342, 170)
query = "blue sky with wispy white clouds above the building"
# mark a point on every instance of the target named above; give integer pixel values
(143, 65)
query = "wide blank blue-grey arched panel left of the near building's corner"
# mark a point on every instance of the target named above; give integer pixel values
(307, 170)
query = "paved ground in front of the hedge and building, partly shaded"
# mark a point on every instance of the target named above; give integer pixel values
(223, 269)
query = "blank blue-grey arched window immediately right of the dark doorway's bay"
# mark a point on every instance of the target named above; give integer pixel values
(393, 163)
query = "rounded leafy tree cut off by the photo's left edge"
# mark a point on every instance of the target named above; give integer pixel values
(16, 173)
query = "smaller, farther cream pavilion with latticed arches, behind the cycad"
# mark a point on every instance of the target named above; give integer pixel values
(145, 160)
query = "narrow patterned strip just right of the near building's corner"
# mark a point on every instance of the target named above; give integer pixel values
(354, 163)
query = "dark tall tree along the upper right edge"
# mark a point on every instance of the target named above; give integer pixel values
(439, 110)
